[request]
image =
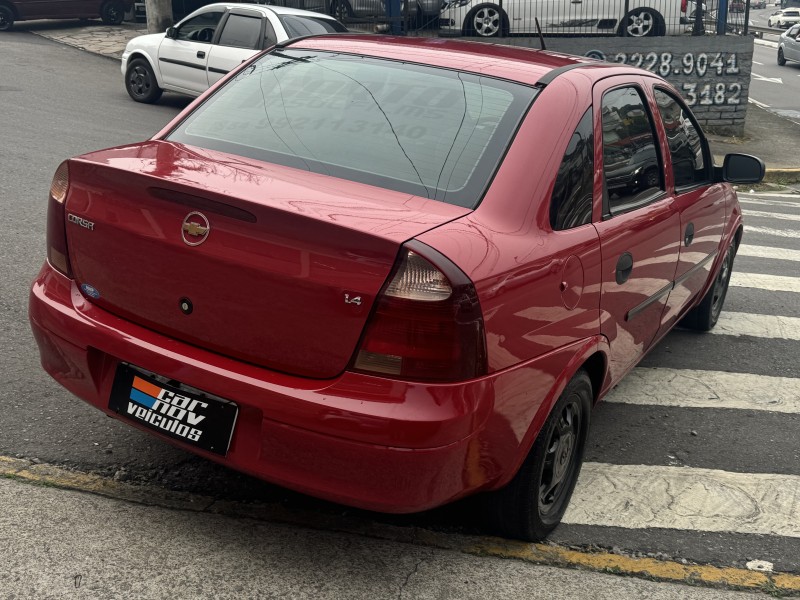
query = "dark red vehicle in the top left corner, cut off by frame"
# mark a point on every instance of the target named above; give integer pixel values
(110, 11)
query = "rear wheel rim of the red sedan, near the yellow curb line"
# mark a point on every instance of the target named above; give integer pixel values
(561, 457)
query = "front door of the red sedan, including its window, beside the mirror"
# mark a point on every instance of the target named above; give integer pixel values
(700, 202)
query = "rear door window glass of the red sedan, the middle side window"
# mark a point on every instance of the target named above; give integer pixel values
(631, 165)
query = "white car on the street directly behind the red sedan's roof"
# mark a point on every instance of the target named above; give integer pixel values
(197, 52)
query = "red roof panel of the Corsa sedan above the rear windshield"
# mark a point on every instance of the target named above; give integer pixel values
(524, 65)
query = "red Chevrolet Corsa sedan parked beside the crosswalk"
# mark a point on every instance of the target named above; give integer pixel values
(388, 272)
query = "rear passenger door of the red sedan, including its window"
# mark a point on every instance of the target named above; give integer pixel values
(640, 225)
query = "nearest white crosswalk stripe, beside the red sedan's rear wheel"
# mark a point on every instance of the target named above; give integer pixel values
(644, 497)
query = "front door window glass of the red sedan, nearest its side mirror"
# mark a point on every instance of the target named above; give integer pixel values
(686, 147)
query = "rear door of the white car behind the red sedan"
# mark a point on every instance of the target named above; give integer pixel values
(243, 34)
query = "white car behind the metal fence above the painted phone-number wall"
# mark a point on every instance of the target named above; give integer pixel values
(644, 17)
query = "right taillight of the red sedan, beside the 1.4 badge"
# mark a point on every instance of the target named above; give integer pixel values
(427, 323)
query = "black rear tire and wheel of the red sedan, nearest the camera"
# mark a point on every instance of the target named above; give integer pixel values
(532, 504)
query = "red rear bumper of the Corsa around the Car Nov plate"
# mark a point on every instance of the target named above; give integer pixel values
(364, 441)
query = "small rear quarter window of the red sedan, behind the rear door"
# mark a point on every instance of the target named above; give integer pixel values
(571, 203)
